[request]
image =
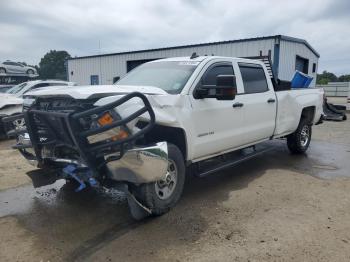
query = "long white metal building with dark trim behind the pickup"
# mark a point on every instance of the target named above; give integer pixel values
(286, 53)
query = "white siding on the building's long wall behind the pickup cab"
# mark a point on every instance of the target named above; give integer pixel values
(111, 66)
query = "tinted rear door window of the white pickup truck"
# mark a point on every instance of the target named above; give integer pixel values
(254, 78)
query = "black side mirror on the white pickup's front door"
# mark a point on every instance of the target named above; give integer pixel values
(225, 89)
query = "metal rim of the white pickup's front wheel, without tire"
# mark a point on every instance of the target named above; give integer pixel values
(165, 188)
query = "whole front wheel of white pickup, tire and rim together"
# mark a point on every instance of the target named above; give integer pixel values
(162, 195)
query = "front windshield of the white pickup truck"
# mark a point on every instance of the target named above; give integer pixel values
(169, 76)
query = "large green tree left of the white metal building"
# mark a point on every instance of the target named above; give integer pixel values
(52, 65)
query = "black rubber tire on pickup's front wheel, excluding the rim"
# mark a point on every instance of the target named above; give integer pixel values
(147, 193)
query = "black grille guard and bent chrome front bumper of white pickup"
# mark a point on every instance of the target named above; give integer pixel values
(119, 160)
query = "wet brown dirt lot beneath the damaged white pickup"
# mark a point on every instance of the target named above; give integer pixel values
(277, 207)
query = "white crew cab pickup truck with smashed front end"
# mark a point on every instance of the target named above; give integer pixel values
(164, 119)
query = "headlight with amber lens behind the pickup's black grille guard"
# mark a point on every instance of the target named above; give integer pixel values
(114, 134)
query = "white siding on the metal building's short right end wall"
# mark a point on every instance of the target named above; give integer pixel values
(288, 53)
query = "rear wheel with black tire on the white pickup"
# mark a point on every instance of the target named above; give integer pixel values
(299, 141)
